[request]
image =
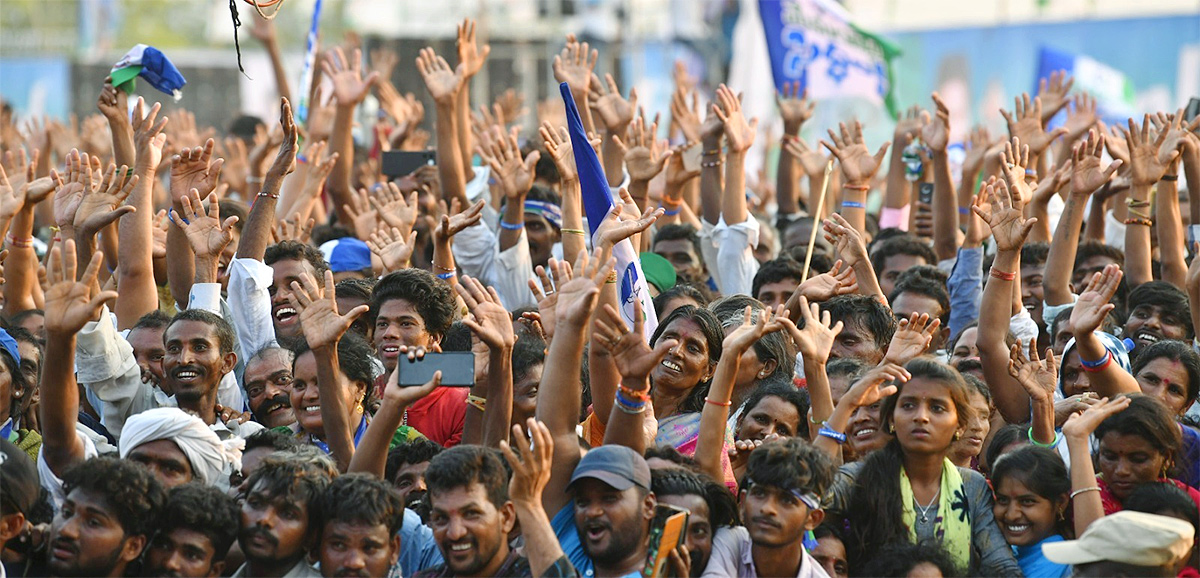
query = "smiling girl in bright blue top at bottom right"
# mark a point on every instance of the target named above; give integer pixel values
(1033, 489)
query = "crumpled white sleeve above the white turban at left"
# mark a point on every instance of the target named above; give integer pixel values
(106, 366)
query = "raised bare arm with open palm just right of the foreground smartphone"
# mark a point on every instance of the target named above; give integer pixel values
(493, 324)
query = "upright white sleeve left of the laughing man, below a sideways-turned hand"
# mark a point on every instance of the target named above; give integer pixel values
(250, 305)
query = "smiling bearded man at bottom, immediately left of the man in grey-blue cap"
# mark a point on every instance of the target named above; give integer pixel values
(471, 515)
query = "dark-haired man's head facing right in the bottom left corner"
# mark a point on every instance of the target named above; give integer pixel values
(111, 509)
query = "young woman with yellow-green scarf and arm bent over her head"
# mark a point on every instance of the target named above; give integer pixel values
(909, 492)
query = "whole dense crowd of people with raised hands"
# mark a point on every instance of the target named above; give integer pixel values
(205, 332)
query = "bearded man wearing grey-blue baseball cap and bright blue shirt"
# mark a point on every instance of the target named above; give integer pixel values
(604, 528)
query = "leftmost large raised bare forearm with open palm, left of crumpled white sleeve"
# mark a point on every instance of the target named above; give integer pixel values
(70, 305)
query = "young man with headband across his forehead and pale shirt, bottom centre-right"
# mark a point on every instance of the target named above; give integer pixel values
(781, 502)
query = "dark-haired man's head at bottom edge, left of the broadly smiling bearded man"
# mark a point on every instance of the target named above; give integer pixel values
(359, 519)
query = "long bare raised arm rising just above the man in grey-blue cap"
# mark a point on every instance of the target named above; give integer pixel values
(559, 401)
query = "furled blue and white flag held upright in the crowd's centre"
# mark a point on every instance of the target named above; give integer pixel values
(598, 203)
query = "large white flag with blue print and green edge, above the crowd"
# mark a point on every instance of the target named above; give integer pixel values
(817, 44)
